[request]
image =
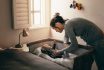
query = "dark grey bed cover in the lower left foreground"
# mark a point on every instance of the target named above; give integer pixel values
(11, 59)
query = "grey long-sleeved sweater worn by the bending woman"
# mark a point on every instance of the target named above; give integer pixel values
(83, 28)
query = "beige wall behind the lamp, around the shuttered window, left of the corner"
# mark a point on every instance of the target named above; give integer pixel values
(9, 36)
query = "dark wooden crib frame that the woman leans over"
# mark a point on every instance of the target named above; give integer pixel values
(82, 62)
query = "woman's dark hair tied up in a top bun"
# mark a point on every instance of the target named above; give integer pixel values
(57, 18)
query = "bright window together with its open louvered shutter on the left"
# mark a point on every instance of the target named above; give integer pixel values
(31, 13)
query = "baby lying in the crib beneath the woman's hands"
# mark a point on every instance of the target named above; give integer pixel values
(48, 50)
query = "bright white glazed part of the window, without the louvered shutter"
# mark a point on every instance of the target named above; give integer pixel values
(38, 13)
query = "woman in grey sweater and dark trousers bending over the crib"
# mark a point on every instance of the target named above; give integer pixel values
(86, 30)
